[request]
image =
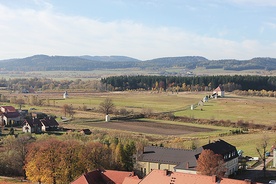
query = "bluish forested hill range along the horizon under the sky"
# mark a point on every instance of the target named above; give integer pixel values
(88, 63)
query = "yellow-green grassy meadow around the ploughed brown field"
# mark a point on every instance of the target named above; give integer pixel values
(258, 110)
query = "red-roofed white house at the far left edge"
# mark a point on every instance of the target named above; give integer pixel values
(9, 116)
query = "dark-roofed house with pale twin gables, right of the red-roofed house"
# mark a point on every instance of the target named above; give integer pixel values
(35, 125)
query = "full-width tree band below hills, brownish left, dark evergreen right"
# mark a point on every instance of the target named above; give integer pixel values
(155, 83)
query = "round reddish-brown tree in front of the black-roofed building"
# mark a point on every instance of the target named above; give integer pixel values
(209, 163)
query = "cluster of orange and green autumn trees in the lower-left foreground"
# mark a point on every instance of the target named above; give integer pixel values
(63, 159)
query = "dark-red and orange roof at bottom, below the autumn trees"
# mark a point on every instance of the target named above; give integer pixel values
(107, 177)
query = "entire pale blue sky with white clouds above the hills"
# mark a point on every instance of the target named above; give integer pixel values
(142, 29)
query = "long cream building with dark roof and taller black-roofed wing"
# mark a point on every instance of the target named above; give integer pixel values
(185, 161)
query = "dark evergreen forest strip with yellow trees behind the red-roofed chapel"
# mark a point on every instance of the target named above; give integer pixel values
(196, 83)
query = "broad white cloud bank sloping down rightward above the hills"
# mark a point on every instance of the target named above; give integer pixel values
(30, 31)
